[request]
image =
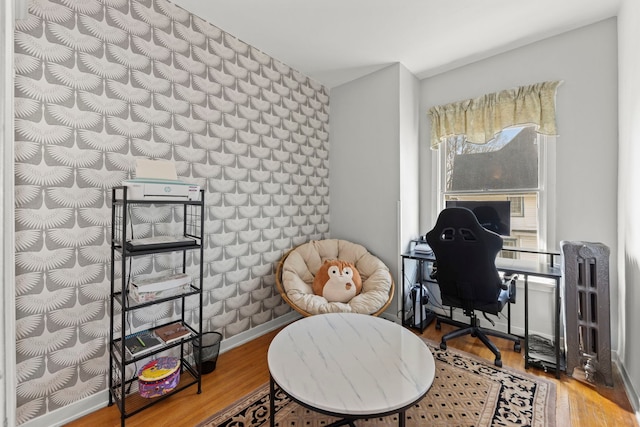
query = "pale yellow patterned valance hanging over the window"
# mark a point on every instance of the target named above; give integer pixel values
(480, 119)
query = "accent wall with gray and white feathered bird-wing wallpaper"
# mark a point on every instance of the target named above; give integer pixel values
(99, 83)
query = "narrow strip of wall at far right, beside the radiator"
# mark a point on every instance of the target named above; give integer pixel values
(629, 189)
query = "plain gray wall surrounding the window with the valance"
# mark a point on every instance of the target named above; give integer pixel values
(586, 150)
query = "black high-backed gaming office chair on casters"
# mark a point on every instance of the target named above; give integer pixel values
(466, 273)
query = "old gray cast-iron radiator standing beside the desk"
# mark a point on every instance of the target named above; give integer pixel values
(587, 311)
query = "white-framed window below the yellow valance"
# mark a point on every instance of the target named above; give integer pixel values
(508, 167)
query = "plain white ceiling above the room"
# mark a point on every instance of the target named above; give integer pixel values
(335, 41)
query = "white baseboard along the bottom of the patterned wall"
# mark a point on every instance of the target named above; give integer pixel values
(83, 407)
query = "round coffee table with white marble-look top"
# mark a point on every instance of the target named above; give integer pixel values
(350, 365)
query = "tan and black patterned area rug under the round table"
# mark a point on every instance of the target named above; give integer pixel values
(466, 391)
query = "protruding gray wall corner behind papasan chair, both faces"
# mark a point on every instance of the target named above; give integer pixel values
(374, 161)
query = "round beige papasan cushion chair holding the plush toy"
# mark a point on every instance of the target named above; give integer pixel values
(297, 268)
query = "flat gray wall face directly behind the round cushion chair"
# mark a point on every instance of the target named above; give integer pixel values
(364, 161)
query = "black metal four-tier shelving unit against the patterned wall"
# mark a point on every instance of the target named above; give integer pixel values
(123, 390)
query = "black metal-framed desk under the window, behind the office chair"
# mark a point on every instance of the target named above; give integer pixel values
(524, 268)
